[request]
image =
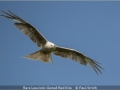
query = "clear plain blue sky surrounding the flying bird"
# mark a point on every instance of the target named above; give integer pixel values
(92, 28)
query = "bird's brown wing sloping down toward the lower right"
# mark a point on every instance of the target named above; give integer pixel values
(78, 57)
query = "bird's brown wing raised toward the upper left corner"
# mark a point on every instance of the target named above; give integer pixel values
(27, 29)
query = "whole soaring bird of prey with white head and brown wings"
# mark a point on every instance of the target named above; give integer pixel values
(47, 47)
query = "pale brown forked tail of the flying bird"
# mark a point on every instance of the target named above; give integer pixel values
(38, 55)
